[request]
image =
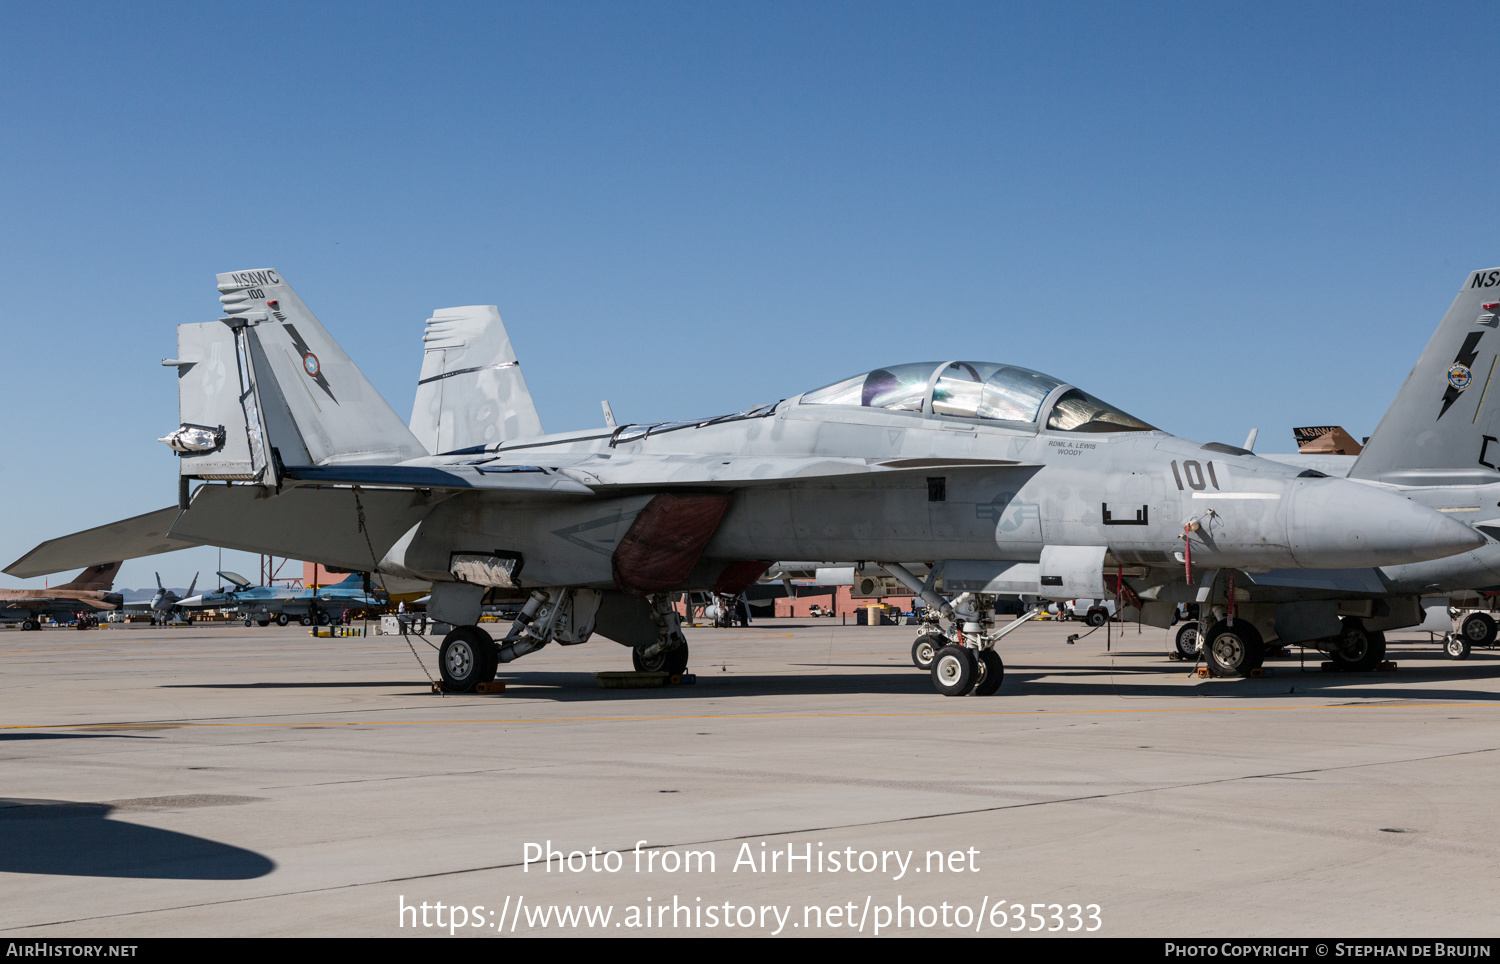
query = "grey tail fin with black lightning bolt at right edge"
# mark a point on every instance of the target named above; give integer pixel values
(1444, 427)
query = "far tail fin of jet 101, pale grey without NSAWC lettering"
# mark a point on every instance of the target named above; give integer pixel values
(472, 391)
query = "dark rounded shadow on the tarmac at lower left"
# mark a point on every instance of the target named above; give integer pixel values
(79, 840)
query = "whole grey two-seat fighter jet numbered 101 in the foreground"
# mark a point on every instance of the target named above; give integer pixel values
(1012, 481)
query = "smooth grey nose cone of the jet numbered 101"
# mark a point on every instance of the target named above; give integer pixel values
(1337, 524)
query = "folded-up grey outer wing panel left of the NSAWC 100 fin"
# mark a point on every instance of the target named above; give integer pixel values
(209, 400)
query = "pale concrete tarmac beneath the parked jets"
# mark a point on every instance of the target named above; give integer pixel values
(218, 780)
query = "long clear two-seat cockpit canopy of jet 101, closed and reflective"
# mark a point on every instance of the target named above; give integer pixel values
(977, 391)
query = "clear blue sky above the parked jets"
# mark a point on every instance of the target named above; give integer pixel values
(1217, 217)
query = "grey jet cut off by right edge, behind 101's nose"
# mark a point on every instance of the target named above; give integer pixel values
(1438, 448)
